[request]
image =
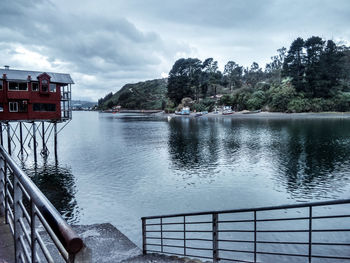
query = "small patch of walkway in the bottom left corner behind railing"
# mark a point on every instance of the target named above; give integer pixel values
(6, 243)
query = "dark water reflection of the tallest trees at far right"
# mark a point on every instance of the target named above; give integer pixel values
(314, 159)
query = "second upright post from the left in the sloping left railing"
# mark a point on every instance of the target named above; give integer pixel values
(17, 192)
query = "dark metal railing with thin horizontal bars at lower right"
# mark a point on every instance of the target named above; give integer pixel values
(306, 232)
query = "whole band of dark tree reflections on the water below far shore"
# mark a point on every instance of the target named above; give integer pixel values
(308, 158)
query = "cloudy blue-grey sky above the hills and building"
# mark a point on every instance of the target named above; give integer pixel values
(106, 44)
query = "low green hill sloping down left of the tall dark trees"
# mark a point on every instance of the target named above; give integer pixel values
(149, 94)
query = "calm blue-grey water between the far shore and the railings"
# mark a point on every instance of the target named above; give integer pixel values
(117, 169)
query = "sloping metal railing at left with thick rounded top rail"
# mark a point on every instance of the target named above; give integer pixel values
(38, 229)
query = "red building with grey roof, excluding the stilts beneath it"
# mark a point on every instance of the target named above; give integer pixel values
(32, 95)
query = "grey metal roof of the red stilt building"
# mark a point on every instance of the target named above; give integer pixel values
(13, 74)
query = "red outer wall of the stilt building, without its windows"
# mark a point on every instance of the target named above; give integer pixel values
(32, 97)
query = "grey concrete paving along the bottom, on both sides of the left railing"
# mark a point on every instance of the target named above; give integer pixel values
(104, 242)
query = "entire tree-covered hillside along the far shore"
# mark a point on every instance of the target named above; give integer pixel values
(313, 75)
